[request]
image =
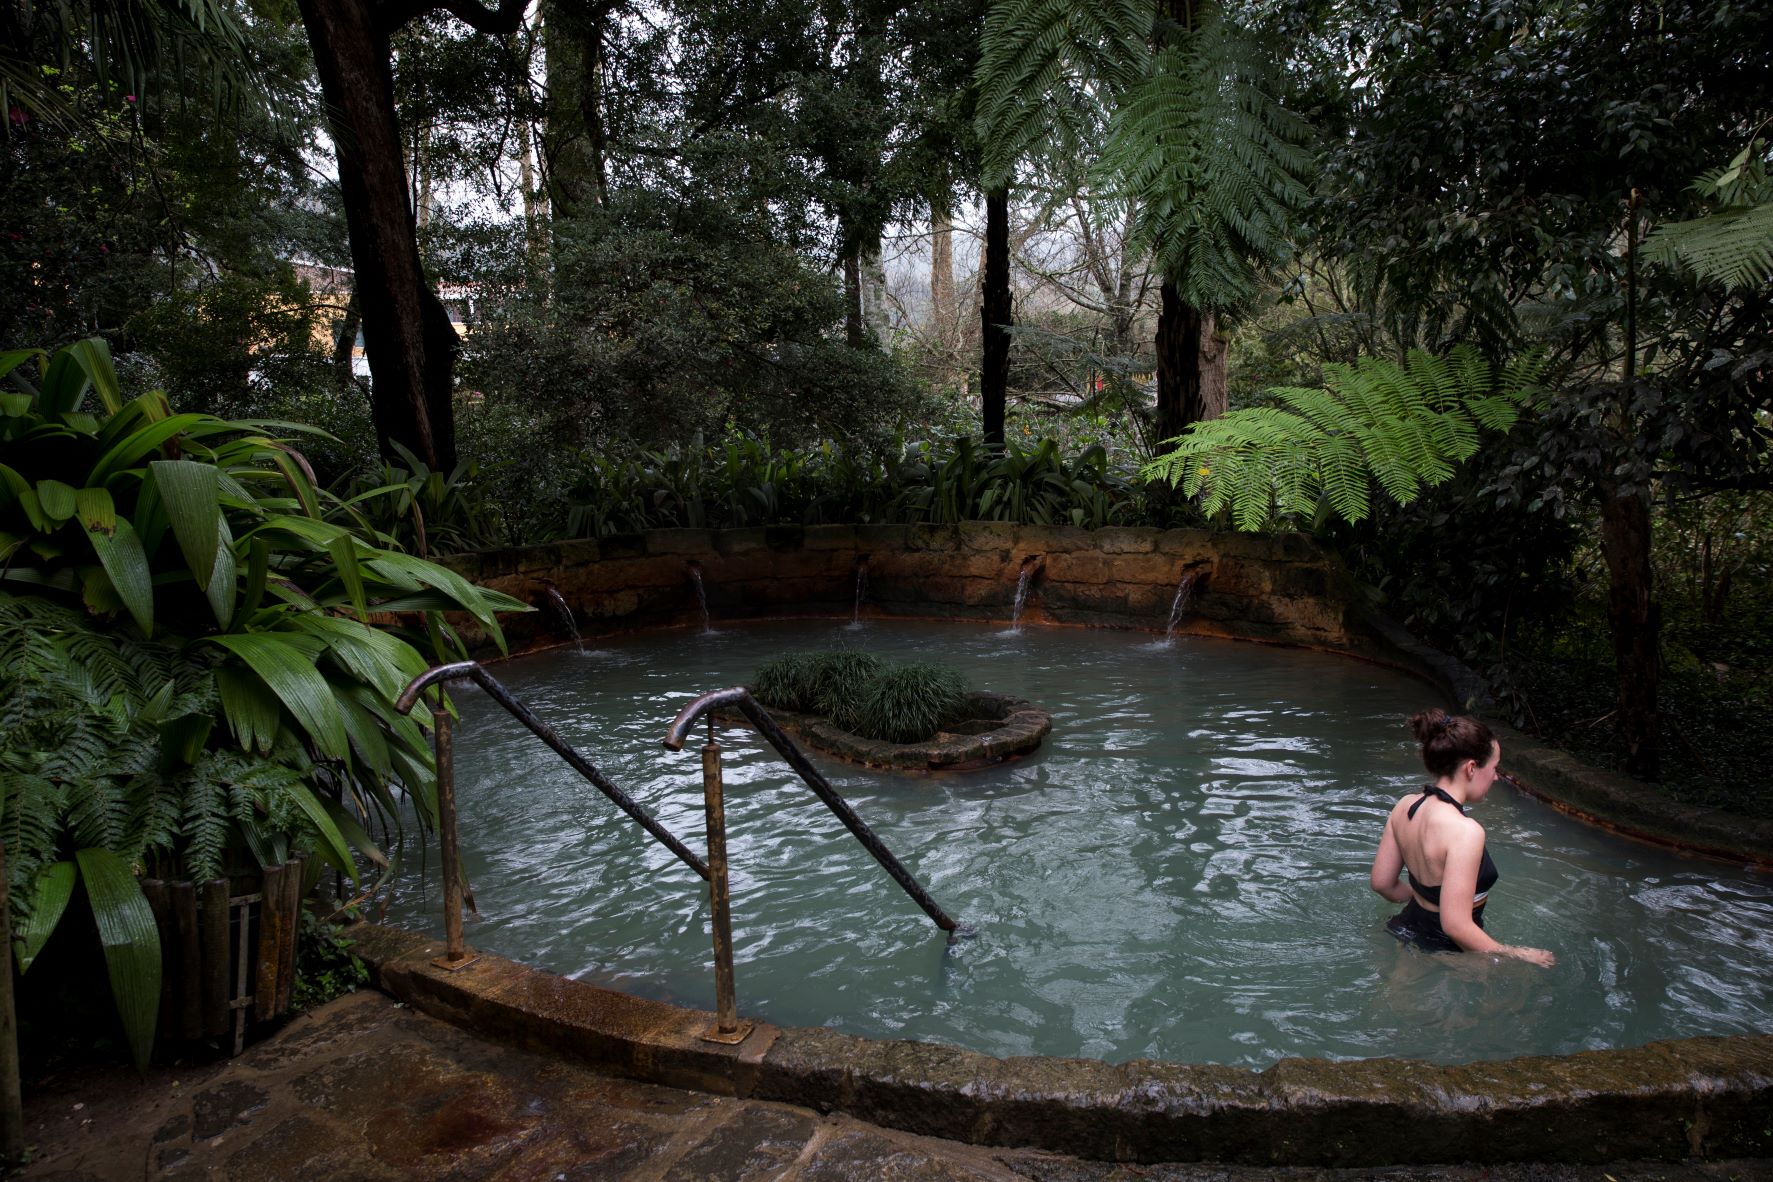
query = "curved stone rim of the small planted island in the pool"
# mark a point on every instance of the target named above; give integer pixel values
(1017, 729)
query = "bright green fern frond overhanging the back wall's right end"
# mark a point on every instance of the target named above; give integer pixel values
(1402, 426)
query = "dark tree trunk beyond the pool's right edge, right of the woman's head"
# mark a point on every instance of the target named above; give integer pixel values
(1636, 621)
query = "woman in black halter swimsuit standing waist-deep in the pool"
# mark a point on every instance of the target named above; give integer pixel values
(1430, 836)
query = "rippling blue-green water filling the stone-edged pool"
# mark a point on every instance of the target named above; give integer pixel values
(1180, 873)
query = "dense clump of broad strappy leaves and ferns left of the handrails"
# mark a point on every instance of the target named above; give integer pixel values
(192, 683)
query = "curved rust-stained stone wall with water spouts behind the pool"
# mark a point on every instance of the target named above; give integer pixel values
(1277, 589)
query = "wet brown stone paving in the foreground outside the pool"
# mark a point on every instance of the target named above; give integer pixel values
(370, 1091)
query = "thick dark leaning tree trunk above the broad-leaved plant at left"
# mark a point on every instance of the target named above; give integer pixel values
(410, 341)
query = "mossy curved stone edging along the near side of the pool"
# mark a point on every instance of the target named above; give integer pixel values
(1689, 1098)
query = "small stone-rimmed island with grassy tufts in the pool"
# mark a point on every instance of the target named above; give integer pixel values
(912, 717)
